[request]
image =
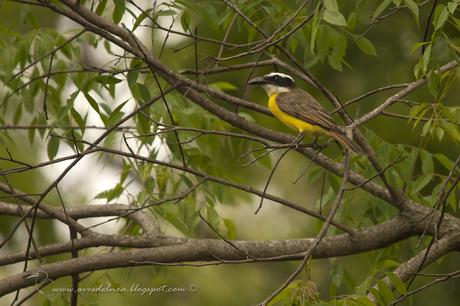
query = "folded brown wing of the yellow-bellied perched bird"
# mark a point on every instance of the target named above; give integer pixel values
(300, 104)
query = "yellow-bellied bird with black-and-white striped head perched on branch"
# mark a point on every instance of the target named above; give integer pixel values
(299, 110)
